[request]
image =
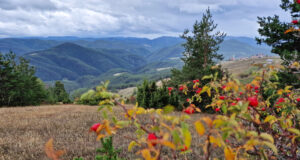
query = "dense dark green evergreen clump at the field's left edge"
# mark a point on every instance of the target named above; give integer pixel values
(18, 85)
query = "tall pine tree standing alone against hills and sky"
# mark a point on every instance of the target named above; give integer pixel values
(200, 50)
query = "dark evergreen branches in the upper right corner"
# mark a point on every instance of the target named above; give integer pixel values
(273, 32)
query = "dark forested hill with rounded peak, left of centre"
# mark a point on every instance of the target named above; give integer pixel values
(71, 61)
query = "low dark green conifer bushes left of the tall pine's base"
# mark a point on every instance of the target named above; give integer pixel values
(151, 96)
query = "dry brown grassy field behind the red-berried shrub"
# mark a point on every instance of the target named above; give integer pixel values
(24, 132)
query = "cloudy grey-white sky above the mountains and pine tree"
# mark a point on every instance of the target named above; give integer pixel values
(130, 18)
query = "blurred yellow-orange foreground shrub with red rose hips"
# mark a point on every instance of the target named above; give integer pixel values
(256, 120)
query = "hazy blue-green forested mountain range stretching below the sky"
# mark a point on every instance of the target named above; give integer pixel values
(73, 59)
